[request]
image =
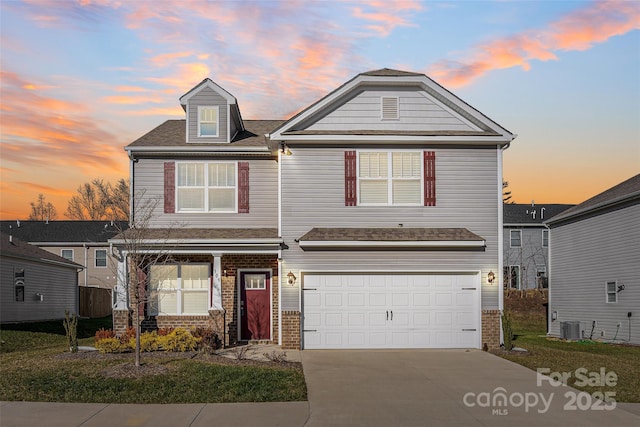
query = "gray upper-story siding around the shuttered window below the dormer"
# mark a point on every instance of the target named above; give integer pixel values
(263, 198)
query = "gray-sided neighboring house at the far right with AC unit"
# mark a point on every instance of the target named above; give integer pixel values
(595, 273)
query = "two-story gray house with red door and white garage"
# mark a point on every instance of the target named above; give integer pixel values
(371, 219)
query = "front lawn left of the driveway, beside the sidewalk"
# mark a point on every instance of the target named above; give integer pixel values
(32, 369)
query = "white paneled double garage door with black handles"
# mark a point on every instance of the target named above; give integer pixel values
(391, 311)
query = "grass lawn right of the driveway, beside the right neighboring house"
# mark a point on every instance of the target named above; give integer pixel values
(563, 356)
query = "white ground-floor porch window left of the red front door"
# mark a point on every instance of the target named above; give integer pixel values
(178, 289)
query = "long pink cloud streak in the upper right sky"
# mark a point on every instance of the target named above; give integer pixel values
(578, 30)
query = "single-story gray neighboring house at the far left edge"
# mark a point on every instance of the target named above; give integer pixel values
(35, 284)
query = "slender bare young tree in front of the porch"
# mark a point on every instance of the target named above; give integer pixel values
(138, 250)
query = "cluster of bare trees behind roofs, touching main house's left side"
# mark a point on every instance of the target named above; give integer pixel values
(99, 200)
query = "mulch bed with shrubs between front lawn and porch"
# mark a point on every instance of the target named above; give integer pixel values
(155, 363)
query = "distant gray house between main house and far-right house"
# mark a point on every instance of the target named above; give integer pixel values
(526, 244)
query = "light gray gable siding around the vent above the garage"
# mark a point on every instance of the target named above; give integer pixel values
(417, 112)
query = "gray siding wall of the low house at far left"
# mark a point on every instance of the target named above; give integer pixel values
(59, 285)
